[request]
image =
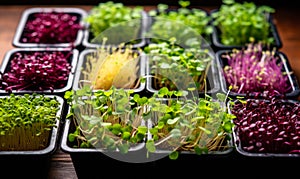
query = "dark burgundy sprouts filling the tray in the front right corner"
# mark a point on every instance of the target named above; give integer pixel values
(269, 125)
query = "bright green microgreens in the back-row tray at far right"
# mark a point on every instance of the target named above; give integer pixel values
(242, 23)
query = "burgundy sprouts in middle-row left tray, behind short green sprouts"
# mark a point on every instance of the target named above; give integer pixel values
(40, 70)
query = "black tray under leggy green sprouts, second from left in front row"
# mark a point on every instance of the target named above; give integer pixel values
(87, 159)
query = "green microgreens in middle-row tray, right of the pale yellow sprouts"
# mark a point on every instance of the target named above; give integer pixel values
(177, 67)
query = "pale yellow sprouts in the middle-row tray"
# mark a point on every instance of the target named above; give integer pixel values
(118, 67)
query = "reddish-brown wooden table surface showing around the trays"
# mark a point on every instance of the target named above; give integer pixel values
(61, 167)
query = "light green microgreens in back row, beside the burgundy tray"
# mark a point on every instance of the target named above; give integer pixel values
(115, 21)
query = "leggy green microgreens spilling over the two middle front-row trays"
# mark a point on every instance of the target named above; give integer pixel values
(113, 120)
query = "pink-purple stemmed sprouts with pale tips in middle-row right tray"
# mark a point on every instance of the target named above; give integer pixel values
(255, 70)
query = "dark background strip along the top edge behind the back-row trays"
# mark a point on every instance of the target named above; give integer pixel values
(273, 3)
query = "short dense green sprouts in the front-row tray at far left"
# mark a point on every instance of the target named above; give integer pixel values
(26, 121)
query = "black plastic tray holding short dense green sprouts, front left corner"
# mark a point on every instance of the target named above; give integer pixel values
(32, 164)
